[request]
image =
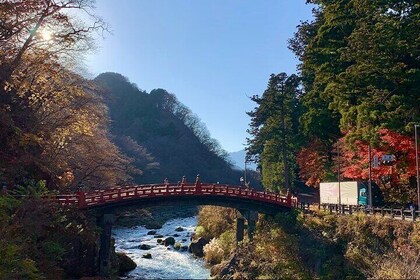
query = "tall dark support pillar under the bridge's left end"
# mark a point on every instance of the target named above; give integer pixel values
(105, 222)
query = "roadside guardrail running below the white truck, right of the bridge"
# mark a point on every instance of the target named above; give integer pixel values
(395, 213)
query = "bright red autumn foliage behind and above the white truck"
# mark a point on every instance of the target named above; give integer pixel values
(393, 177)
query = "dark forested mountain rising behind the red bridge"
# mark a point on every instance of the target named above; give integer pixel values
(164, 138)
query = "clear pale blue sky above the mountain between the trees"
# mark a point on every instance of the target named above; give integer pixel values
(212, 54)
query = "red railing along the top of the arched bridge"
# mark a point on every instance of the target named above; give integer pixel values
(108, 196)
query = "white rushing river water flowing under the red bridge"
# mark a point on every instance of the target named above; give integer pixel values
(165, 264)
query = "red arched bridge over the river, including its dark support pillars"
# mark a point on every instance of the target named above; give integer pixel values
(109, 200)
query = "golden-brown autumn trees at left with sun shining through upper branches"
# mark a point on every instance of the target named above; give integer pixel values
(53, 123)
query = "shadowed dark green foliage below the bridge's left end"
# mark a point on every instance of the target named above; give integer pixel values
(39, 239)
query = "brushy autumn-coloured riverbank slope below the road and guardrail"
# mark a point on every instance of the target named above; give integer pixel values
(293, 245)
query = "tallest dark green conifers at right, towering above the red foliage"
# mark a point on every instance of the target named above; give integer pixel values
(360, 74)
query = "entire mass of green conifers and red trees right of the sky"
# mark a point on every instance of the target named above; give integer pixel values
(360, 75)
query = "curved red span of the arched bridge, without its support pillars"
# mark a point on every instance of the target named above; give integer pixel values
(194, 193)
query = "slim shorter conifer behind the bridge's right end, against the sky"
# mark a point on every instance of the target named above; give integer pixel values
(274, 128)
